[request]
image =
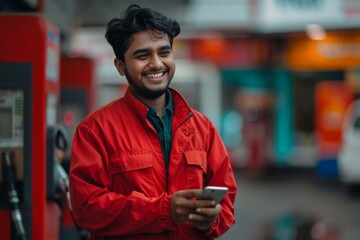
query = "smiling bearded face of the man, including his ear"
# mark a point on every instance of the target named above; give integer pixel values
(149, 64)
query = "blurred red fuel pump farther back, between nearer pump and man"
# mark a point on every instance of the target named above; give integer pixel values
(77, 78)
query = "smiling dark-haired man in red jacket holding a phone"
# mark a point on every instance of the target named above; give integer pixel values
(138, 163)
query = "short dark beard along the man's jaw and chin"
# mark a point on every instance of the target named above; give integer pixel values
(143, 91)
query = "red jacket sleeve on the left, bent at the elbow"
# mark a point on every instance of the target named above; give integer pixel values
(96, 208)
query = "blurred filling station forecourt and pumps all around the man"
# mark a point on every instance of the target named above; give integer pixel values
(279, 78)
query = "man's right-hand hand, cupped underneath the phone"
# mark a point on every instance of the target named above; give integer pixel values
(204, 218)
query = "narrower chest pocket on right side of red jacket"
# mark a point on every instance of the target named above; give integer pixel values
(196, 168)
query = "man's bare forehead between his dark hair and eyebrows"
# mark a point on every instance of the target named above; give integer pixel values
(148, 40)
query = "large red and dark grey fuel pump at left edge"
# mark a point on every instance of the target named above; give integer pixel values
(29, 93)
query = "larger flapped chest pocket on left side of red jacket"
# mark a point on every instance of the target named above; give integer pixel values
(132, 171)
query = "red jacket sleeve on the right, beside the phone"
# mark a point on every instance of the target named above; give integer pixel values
(220, 173)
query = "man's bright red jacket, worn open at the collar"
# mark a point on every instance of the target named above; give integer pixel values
(119, 187)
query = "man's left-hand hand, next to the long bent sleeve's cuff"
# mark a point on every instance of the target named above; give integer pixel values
(183, 204)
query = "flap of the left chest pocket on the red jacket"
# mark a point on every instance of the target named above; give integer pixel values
(130, 161)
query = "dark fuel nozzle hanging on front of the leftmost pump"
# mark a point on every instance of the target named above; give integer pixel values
(9, 181)
